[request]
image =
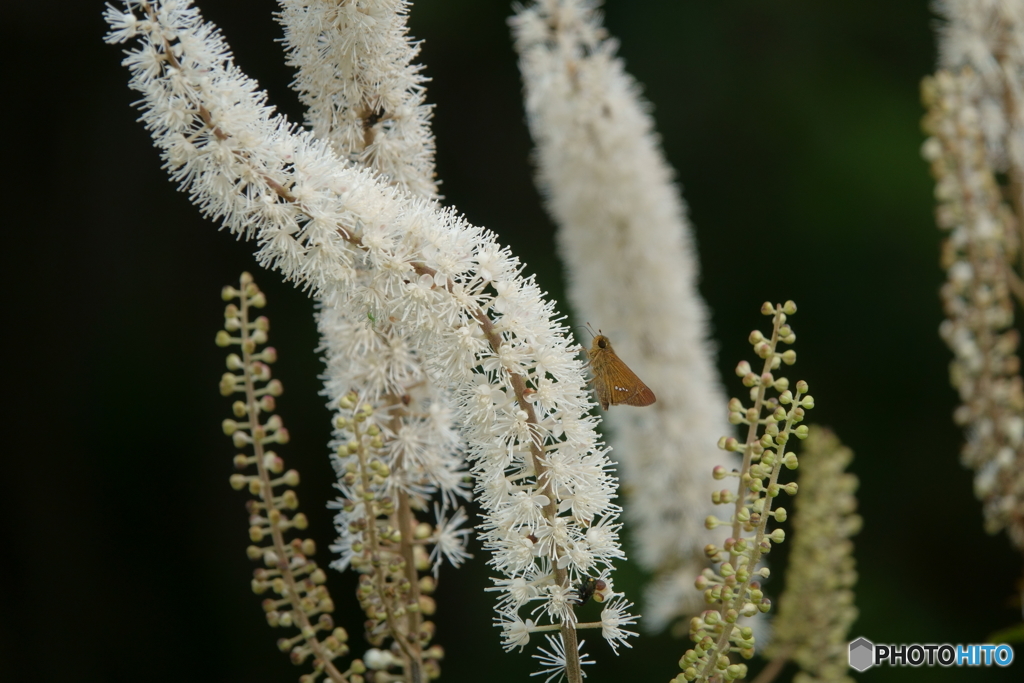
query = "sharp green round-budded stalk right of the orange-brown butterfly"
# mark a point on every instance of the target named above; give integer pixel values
(734, 592)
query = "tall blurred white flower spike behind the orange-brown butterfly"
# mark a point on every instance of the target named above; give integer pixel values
(628, 249)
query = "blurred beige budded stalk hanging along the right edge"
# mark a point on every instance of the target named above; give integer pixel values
(978, 258)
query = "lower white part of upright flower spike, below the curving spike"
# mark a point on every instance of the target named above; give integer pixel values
(419, 445)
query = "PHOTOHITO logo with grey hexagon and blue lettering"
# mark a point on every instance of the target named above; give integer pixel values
(865, 655)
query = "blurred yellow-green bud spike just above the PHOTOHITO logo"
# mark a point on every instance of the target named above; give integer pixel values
(817, 609)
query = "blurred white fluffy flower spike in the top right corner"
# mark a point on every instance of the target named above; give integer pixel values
(989, 36)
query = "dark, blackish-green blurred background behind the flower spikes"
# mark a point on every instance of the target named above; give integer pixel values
(794, 129)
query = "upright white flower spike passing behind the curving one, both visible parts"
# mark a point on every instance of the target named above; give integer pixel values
(366, 100)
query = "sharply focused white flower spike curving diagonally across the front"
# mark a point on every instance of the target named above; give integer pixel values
(487, 333)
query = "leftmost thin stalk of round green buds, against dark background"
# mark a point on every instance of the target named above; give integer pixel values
(303, 601)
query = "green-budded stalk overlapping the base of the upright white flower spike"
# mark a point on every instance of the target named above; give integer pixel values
(382, 541)
